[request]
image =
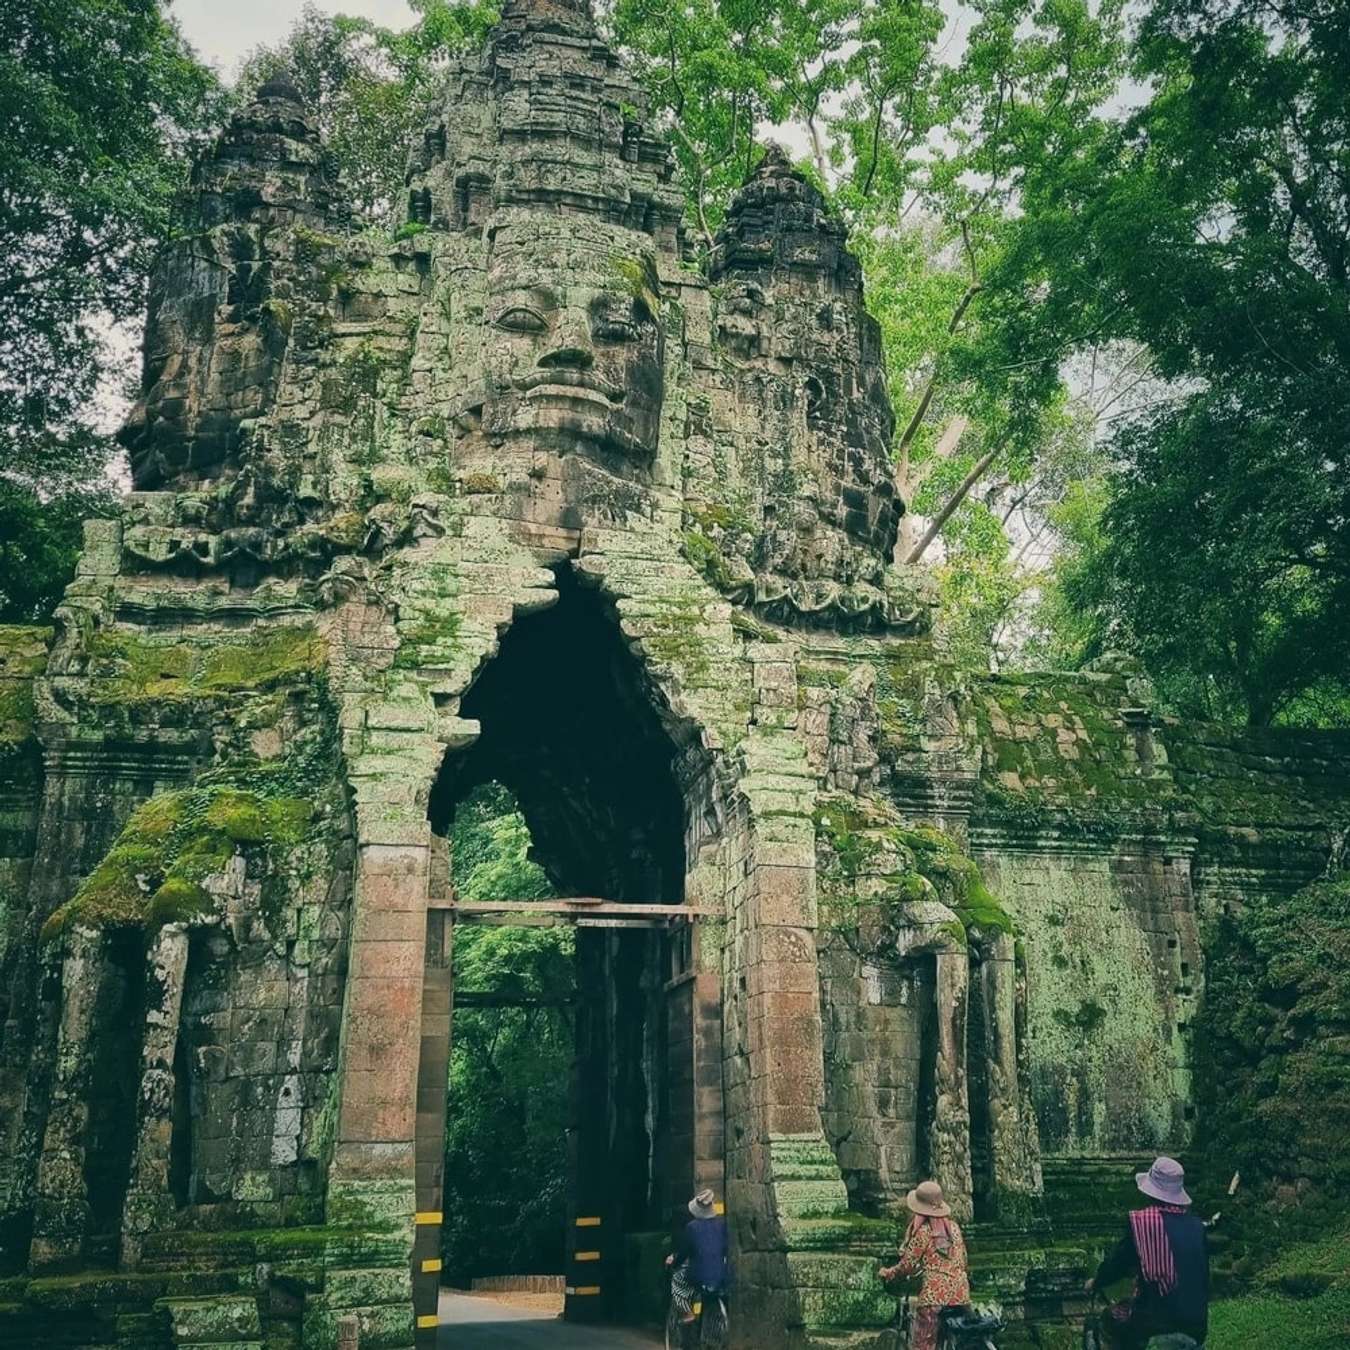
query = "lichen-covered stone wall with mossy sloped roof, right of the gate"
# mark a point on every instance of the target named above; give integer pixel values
(1110, 834)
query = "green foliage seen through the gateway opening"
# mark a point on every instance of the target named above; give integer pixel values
(506, 1147)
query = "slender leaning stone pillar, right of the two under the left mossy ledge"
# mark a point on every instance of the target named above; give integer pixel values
(149, 1202)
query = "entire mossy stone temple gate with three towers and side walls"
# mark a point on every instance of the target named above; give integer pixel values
(530, 493)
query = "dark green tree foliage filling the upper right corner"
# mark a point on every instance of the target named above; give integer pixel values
(1210, 226)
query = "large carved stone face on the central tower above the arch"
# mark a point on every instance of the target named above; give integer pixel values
(574, 348)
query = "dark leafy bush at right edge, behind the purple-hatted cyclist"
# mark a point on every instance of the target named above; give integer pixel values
(1272, 1040)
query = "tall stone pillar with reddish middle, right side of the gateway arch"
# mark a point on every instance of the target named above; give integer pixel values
(782, 1170)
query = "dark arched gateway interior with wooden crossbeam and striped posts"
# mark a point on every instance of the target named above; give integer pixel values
(572, 730)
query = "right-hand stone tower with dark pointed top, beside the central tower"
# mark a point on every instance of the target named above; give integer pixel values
(793, 317)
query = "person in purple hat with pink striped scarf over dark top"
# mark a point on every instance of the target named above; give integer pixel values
(1167, 1252)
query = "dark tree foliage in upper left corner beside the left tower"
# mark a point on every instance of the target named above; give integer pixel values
(102, 110)
